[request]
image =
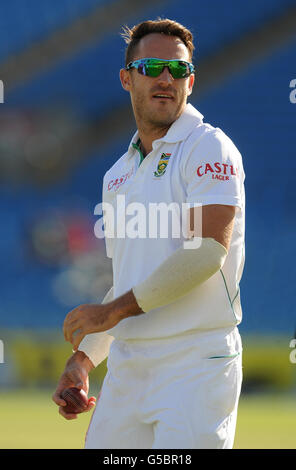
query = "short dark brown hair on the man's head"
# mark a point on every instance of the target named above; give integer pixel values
(164, 26)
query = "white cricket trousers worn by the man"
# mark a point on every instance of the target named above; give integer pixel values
(170, 393)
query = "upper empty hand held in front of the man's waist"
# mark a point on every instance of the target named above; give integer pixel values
(88, 318)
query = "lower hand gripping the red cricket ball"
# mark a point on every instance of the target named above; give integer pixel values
(75, 375)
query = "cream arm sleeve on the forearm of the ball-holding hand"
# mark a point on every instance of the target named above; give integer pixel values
(96, 345)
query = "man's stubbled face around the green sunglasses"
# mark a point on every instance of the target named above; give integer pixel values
(158, 101)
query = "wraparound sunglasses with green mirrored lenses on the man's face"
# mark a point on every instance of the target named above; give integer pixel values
(154, 67)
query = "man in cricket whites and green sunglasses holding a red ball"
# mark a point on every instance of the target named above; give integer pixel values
(174, 364)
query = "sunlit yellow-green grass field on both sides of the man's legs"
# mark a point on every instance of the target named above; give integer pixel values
(29, 420)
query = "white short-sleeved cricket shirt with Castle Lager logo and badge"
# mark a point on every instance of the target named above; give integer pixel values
(193, 163)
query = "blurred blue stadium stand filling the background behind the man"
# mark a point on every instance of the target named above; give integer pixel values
(66, 120)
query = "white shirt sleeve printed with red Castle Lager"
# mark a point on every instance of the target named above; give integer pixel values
(213, 172)
